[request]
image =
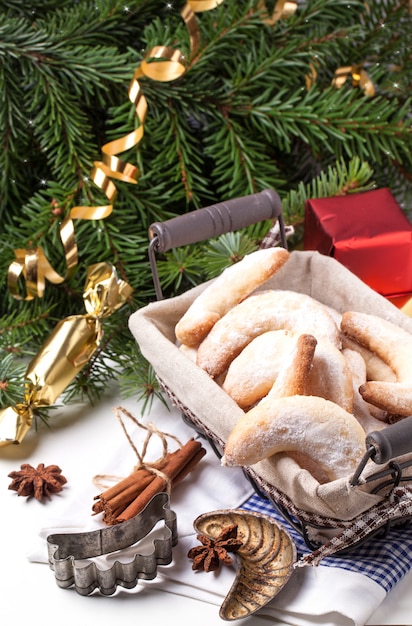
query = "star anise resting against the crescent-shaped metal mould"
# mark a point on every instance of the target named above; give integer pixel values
(213, 552)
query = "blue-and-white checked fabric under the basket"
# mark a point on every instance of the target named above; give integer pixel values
(383, 559)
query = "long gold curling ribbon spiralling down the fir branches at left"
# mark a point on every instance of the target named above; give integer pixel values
(161, 63)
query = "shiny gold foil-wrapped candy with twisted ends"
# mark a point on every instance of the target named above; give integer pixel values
(67, 350)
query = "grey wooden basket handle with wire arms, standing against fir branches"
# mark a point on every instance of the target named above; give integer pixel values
(212, 221)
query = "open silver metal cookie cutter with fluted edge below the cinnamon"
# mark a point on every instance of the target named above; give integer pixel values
(65, 549)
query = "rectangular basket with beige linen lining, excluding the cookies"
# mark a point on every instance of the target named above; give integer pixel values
(334, 516)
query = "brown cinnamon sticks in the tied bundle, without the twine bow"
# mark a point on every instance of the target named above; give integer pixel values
(131, 494)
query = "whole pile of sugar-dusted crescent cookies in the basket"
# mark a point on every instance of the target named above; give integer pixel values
(311, 381)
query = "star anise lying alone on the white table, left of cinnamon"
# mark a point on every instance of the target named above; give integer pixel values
(40, 482)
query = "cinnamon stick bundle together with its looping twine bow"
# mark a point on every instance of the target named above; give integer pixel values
(130, 495)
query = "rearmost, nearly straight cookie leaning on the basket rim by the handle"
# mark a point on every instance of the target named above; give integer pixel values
(232, 286)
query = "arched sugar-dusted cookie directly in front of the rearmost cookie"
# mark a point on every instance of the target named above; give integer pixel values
(267, 310)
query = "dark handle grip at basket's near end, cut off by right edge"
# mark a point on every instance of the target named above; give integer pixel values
(391, 442)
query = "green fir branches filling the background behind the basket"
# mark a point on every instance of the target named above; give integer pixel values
(240, 120)
